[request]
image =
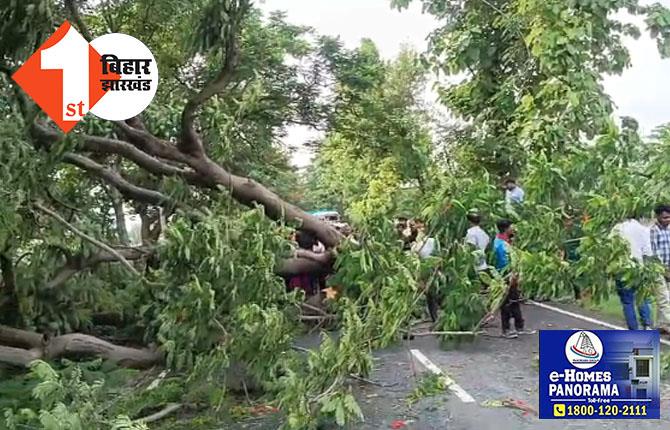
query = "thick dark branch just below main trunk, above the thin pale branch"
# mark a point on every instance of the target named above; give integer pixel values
(114, 179)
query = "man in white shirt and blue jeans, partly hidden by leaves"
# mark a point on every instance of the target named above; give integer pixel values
(638, 238)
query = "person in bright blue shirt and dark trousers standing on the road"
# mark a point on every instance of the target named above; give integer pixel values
(511, 307)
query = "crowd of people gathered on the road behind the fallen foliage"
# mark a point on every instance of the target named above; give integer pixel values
(645, 243)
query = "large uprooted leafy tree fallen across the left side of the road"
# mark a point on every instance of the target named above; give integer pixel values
(200, 288)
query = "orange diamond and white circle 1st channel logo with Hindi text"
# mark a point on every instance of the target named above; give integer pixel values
(66, 77)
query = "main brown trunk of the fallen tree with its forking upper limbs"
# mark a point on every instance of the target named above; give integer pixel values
(148, 152)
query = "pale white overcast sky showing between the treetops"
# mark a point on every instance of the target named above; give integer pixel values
(639, 92)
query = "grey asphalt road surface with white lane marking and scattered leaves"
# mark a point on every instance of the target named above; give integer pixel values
(484, 372)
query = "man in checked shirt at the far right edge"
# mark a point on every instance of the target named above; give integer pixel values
(660, 246)
